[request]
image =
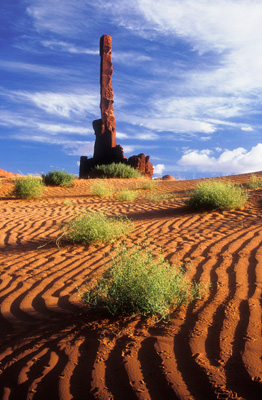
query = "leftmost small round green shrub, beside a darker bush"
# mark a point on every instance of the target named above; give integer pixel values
(28, 187)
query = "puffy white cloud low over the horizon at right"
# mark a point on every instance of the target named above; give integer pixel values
(230, 161)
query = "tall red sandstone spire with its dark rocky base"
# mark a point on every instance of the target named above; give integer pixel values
(106, 151)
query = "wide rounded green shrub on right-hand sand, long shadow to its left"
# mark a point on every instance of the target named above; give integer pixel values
(217, 195)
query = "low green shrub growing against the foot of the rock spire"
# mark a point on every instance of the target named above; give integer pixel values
(116, 170)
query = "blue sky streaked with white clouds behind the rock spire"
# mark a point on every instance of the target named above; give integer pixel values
(187, 83)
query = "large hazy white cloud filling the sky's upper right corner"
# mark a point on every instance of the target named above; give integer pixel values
(229, 30)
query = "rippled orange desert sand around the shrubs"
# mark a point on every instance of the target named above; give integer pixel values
(53, 348)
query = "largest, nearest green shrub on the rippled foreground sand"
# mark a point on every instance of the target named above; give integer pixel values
(136, 282)
